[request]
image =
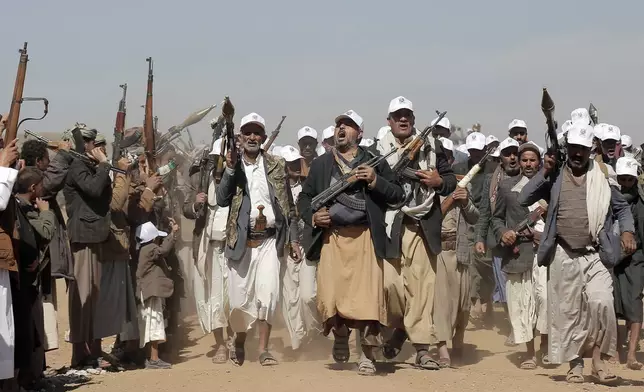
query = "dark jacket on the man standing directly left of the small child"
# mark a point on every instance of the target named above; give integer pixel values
(88, 193)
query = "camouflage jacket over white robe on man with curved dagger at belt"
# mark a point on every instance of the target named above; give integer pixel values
(233, 192)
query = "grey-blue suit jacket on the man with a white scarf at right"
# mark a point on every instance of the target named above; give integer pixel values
(540, 187)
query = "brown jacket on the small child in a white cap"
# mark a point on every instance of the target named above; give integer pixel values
(152, 273)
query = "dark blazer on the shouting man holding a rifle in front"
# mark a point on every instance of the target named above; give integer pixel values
(386, 191)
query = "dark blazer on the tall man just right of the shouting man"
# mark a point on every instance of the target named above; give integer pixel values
(432, 221)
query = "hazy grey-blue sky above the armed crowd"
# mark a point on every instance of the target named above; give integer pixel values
(480, 61)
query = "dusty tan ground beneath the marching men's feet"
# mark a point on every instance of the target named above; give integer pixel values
(490, 366)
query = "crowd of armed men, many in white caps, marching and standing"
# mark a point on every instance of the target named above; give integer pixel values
(392, 256)
